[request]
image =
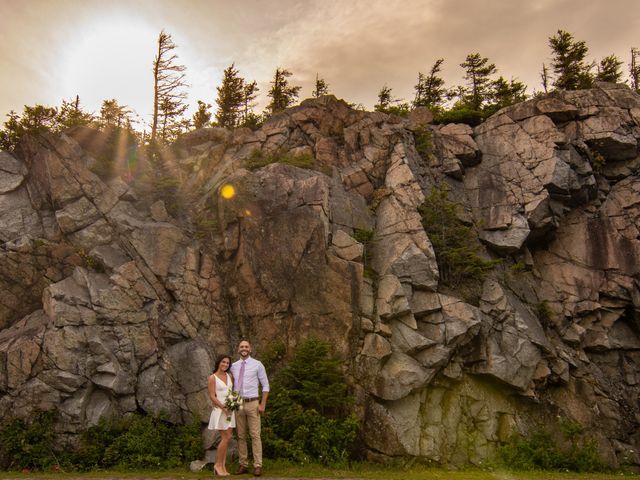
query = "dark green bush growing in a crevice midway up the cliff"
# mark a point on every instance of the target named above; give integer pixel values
(455, 244)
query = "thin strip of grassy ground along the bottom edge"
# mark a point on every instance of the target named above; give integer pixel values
(277, 470)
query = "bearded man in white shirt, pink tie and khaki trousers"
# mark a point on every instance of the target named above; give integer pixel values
(248, 373)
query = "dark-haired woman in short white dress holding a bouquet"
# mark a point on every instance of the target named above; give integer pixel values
(220, 384)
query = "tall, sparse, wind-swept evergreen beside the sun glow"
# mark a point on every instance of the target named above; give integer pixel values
(169, 96)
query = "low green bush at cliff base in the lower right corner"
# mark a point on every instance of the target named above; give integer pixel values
(540, 452)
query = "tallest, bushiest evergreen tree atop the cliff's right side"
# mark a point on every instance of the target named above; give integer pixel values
(572, 73)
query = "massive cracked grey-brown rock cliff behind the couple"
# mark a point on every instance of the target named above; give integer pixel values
(109, 304)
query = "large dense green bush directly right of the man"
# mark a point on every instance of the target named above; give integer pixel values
(309, 417)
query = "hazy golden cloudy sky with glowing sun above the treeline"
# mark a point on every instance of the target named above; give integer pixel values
(54, 50)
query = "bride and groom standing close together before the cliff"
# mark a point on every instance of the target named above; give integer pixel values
(244, 377)
